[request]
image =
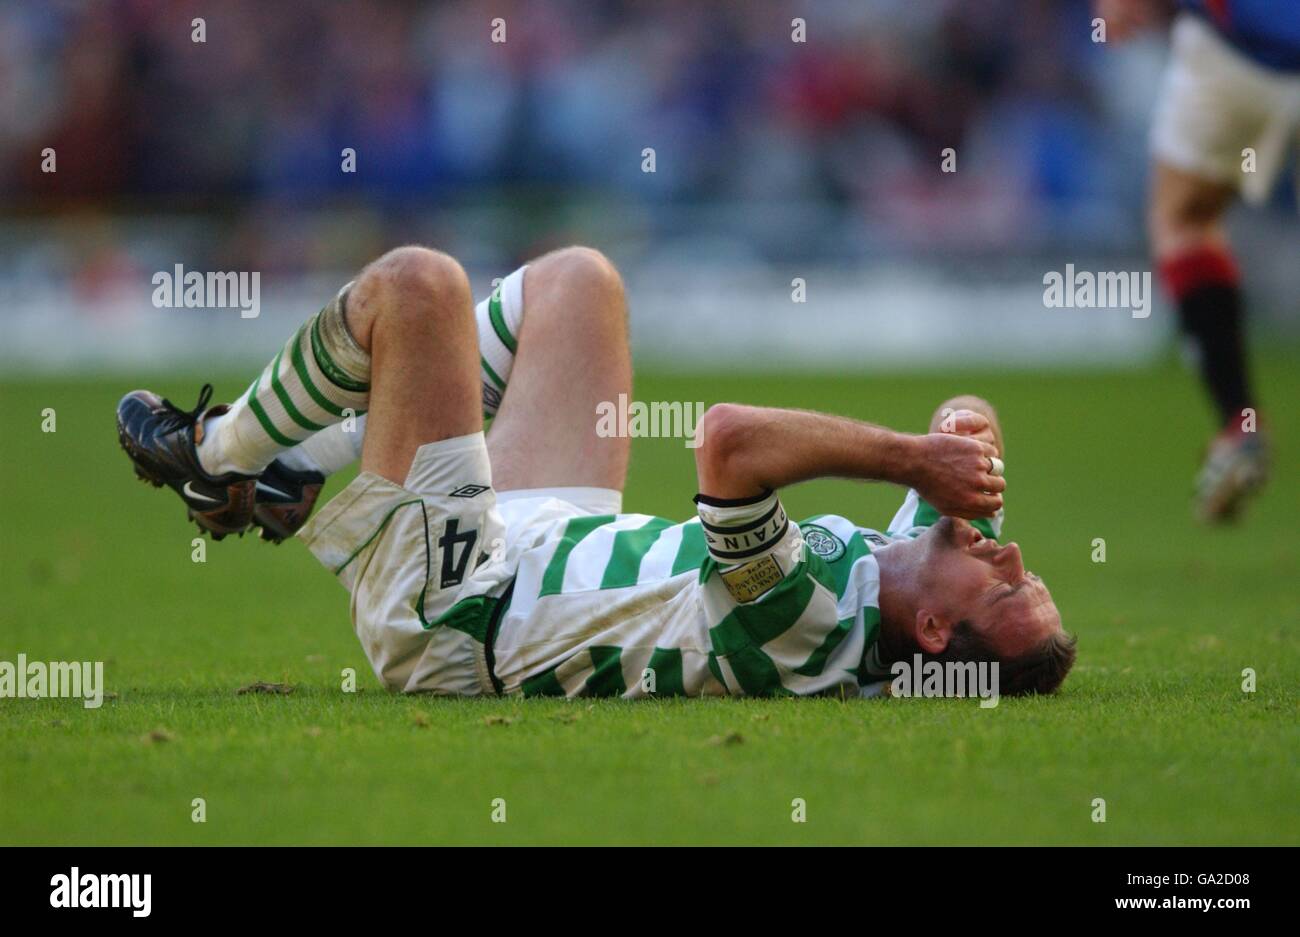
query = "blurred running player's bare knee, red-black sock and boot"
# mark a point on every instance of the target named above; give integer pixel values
(1199, 271)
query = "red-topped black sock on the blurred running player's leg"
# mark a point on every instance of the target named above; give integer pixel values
(1204, 283)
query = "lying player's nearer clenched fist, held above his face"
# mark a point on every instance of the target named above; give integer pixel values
(954, 475)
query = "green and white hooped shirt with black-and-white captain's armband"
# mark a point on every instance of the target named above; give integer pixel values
(738, 601)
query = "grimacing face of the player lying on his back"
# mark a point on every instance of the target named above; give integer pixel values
(987, 584)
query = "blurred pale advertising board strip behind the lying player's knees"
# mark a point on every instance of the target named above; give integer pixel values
(889, 318)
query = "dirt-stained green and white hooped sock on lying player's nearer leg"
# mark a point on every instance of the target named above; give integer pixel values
(319, 379)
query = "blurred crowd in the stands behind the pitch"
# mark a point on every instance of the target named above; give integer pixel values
(770, 154)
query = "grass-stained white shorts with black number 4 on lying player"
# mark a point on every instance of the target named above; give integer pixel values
(443, 546)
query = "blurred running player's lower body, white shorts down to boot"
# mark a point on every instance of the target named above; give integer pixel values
(1225, 120)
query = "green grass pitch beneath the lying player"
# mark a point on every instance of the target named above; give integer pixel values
(99, 567)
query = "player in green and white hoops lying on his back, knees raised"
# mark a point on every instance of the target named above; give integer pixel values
(505, 565)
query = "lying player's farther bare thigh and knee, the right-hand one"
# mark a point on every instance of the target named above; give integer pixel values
(573, 357)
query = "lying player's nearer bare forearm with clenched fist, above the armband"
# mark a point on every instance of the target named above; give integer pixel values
(751, 450)
